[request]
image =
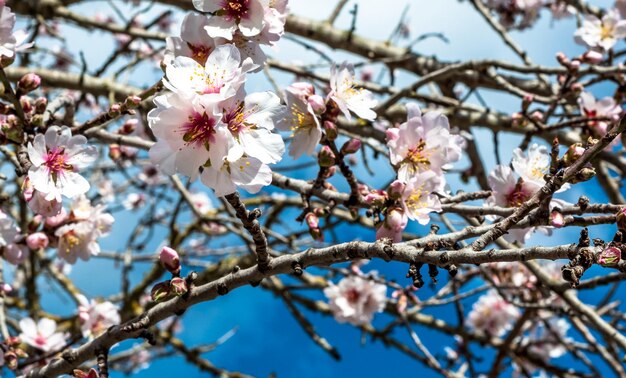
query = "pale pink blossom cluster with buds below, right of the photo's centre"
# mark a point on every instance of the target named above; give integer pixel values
(421, 149)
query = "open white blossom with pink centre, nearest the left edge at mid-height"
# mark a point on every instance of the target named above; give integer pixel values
(56, 159)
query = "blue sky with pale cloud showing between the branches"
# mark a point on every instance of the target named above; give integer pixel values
(268, 339)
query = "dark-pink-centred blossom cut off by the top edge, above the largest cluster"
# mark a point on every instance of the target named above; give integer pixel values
(232, 15)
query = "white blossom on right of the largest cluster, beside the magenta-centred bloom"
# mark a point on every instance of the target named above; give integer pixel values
(251, 122)
